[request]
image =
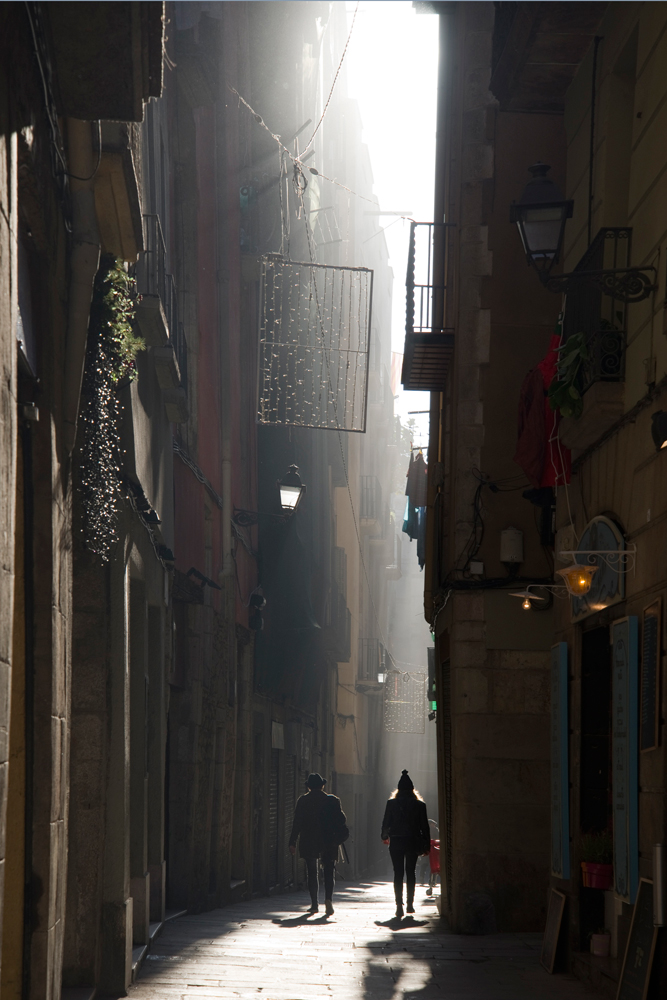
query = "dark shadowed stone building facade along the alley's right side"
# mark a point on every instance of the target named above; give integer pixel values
(577, 86)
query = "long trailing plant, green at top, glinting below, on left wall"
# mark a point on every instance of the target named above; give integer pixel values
(111, 355)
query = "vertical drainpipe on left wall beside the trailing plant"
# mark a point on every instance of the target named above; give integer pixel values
(84, 262)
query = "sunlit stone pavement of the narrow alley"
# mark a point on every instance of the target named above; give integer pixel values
(269, 949)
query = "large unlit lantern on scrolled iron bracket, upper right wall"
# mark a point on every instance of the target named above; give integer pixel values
(540, 216)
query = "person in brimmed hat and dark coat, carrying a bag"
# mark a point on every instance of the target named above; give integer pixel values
(320, 826)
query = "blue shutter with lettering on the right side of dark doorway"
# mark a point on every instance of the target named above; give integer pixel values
(625, 647)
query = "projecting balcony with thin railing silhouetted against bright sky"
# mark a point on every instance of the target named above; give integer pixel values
(429, 341)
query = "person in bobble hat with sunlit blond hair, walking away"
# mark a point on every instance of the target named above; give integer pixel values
(406, 829)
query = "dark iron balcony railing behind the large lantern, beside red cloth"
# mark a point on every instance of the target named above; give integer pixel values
(601, 318)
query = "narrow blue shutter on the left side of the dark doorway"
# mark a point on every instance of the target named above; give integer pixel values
(560, 780)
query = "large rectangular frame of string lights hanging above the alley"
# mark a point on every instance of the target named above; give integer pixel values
(313, 345)
